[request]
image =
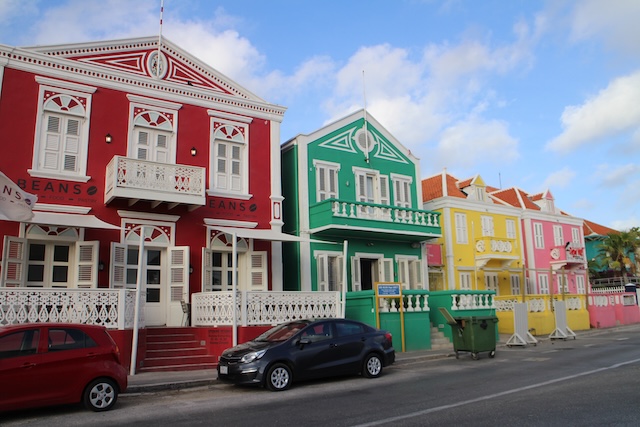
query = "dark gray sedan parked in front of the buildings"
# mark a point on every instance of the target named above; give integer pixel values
(307, 349)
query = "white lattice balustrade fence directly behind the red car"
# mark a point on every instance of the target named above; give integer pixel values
(112, 308)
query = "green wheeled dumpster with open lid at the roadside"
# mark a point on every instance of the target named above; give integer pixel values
(473, 334)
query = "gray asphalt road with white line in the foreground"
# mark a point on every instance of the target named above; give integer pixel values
(592, 380)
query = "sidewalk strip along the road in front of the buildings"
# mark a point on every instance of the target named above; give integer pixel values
(157, 381)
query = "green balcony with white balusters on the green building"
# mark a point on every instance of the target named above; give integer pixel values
(339, 218)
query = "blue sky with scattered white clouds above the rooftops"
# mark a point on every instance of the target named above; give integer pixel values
(538, 95)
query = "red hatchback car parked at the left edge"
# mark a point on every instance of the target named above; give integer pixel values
(44, 364)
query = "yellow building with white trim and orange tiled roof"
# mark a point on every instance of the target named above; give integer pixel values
(481, 237)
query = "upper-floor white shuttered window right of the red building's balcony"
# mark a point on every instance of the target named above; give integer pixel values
(229, 158)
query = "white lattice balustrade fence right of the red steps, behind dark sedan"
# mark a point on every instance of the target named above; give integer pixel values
(262, 308)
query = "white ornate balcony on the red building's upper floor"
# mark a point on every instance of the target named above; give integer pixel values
(141, 180)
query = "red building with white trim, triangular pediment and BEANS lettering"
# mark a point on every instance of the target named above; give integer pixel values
(126, 137)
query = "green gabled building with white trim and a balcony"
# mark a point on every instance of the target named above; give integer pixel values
(352, 192)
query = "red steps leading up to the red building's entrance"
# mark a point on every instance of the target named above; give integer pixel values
(175, 349)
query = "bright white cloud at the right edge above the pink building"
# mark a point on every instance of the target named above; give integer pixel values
(613, 110)
